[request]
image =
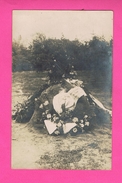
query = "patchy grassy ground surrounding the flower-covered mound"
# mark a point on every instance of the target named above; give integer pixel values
(35, 149)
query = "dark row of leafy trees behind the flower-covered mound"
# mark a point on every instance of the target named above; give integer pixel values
(93, 56)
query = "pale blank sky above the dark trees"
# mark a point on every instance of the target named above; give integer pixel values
(81, 25)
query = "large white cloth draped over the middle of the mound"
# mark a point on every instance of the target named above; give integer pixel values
(69, 99)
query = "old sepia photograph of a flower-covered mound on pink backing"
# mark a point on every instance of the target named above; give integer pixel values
(61, 90)
